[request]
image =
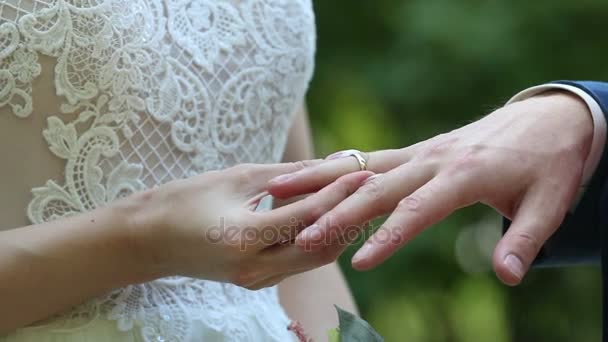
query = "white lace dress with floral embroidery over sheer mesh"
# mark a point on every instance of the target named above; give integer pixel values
(102, 98)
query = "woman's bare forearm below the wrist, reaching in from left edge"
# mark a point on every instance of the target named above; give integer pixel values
(50, 267)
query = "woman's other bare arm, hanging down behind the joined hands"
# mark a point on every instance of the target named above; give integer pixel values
(310, 297)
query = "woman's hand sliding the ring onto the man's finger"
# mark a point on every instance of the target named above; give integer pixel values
(206, 226)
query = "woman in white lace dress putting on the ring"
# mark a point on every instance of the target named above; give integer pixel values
(128, 132)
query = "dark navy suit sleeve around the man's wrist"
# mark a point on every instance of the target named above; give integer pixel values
(578, 239)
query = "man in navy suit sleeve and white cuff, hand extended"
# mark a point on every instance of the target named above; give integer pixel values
(540, 161)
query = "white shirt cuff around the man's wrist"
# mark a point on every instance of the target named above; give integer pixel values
(599, 123)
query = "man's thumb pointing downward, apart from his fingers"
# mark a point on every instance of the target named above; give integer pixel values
(538, 217)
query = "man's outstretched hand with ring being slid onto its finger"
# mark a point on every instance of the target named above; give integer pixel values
(525, 160)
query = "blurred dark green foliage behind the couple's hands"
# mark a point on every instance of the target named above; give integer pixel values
(391, 73)
